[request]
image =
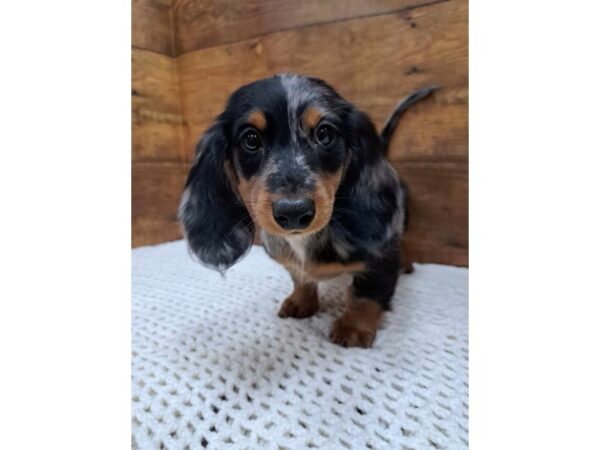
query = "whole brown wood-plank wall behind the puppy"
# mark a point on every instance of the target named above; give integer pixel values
(189, 55)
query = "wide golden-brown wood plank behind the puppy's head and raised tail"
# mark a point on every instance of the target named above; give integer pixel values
(372, 61)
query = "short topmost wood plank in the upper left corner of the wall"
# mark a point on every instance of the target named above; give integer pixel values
(151, 27)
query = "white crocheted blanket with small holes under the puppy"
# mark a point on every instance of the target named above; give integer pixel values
(214, 367)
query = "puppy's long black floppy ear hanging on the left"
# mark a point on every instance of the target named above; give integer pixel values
(216, 224)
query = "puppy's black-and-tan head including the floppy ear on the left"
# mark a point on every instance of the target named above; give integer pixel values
(274, 158)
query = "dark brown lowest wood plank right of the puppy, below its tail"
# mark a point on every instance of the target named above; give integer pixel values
(438, 230)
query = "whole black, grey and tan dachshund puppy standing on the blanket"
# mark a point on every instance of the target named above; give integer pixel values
(290, 156)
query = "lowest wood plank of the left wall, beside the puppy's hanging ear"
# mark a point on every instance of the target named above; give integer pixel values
(156, 190)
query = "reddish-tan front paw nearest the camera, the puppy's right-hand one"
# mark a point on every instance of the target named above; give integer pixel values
(357, 327)
